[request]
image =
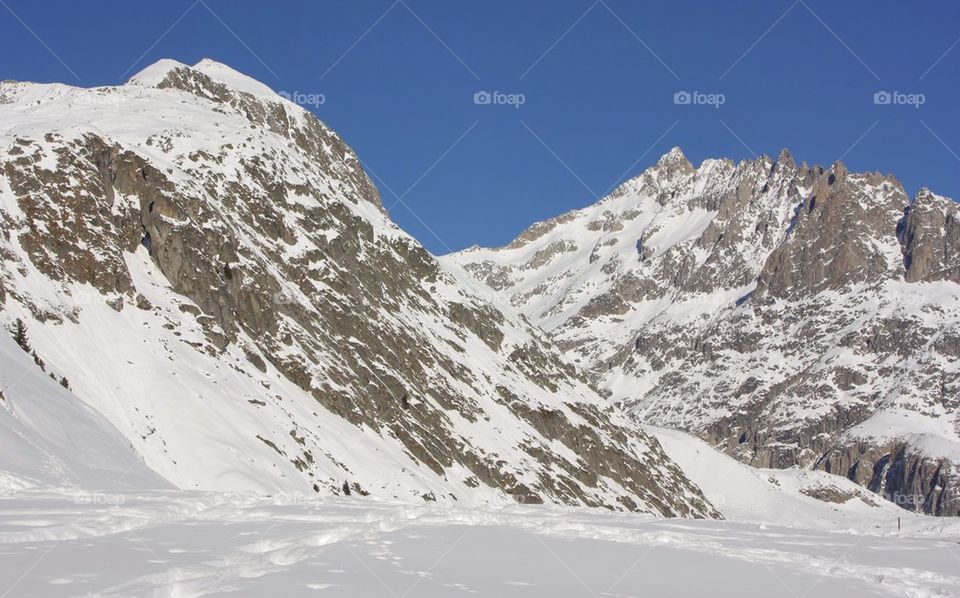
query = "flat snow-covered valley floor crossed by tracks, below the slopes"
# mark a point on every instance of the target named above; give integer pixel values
(188, 544)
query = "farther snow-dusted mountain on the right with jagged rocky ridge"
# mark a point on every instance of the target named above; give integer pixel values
(787, 314)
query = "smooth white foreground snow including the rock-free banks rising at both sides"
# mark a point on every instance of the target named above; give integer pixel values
(89, 537)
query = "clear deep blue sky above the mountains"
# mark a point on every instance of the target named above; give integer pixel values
(599, 79)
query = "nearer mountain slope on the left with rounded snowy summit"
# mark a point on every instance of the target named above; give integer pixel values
(213, 271)
